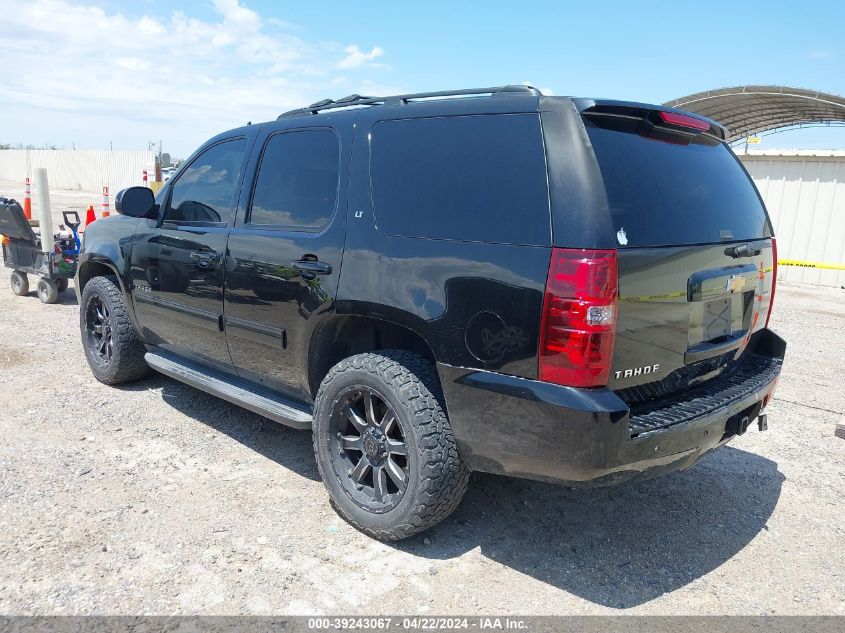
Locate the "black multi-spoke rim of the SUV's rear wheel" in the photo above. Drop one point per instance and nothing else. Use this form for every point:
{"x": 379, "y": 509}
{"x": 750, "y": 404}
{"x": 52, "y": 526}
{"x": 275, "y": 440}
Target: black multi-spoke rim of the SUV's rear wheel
{"x": 367, "y": 449}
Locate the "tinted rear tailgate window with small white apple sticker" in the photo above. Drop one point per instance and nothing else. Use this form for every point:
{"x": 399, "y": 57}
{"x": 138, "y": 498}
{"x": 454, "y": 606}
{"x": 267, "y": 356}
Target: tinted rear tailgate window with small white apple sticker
{"x": 672, "y": 190}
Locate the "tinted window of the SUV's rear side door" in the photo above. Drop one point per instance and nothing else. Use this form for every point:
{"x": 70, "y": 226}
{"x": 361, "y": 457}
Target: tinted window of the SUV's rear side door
{"x": 297, "y": 180}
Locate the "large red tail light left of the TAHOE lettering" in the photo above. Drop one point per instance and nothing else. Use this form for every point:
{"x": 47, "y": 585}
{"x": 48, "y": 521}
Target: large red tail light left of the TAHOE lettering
{"x": 578, "y": 325}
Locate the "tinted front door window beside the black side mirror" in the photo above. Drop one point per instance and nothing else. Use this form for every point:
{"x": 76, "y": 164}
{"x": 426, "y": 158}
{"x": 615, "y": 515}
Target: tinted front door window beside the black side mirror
{"x": 206, "y": 189}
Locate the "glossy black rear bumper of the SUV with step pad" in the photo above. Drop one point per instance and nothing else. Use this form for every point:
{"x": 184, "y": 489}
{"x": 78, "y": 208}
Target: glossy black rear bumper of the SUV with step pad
{"x": 525, "y": 428}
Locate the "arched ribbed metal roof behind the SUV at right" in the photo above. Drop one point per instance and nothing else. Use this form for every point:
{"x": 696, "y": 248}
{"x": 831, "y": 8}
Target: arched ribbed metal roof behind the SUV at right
{"x": 749, "y": 110}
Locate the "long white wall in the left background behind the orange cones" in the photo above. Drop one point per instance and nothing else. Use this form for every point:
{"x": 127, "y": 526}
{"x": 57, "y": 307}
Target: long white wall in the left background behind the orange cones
{"x": 80, "y": 170}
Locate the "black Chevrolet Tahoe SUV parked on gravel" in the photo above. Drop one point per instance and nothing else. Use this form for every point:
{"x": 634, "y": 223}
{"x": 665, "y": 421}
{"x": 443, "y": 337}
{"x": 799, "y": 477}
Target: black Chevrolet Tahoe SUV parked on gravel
{"x": 571, "y": 290}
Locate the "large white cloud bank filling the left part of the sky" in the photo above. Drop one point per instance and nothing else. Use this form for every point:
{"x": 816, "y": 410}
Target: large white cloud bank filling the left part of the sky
{"x": 80, "y": 73}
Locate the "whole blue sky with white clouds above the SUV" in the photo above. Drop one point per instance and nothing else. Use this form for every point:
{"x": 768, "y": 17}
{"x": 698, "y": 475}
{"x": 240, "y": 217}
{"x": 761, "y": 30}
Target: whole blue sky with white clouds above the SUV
{"x": 92, "y": 73}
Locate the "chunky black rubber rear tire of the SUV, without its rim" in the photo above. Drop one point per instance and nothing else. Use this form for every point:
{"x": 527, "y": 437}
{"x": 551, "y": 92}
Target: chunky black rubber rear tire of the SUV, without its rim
{"x": 438, "y": 476}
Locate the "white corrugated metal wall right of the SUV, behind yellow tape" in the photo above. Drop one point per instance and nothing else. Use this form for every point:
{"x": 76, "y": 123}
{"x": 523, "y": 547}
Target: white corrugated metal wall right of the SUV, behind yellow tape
{"x": 805, "y": 196}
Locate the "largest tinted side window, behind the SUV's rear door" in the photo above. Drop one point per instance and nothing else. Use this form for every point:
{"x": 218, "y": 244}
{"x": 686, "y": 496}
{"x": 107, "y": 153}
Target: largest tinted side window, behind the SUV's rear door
{"x": 478, "y": 178}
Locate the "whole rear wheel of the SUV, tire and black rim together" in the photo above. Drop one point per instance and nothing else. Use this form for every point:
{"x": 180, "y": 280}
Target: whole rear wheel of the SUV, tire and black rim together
{"x": 384, "y": 445}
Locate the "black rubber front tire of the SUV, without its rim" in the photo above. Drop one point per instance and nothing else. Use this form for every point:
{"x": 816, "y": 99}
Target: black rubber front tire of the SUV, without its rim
{"x": 126, "y": 362}
